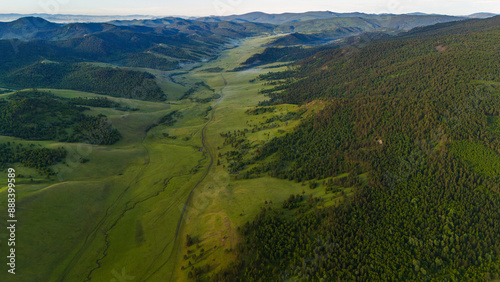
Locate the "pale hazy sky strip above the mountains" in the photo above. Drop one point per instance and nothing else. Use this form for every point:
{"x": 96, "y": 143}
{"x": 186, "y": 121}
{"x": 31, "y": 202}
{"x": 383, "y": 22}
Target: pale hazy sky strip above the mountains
{"x": 228, "y": 7}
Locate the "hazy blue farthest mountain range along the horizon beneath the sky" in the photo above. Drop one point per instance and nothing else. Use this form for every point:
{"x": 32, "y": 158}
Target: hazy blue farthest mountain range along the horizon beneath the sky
{"x": 331, "y": 25}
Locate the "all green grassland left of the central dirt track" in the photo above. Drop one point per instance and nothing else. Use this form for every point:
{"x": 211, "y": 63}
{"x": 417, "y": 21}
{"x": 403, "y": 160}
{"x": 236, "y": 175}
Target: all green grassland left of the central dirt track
{"x": 120, "y": 184}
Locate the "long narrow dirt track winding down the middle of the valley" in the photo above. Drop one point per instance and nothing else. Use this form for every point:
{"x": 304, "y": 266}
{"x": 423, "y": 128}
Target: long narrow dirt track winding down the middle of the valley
{"x": 207, "y": 148}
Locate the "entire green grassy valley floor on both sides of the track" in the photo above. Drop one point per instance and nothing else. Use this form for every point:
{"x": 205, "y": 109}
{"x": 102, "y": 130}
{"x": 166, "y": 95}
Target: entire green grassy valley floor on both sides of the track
{"x": 129, "y": 208}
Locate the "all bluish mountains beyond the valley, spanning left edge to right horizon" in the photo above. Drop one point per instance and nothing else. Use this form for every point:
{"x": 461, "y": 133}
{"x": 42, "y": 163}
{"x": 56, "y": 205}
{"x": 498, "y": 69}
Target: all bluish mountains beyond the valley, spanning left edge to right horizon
{"x": 27, "y": 43}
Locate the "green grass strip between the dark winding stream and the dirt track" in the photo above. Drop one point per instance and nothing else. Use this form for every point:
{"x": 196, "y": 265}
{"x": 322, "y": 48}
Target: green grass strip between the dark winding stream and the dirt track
{"x": 157, "y": 216}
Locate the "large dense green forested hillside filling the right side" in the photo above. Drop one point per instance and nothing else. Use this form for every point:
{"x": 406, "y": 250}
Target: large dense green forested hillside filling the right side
{"x": 414, "y": 122}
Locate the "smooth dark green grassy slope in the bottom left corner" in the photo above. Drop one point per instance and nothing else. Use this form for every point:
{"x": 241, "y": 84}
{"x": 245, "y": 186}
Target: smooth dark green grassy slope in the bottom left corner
{"x": 51, "y": 223}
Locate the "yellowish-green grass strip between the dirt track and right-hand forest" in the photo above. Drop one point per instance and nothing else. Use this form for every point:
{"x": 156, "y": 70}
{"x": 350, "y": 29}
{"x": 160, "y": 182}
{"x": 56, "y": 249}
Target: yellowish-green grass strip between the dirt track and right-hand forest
{"x": 221, "y": 204}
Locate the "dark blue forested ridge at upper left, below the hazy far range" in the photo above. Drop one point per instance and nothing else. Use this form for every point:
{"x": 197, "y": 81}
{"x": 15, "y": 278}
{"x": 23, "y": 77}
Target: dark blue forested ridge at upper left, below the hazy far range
{"x": 104, "y": 42}
